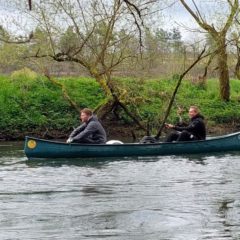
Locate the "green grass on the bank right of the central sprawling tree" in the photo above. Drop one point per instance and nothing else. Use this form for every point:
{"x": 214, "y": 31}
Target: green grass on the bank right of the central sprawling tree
{"x": 156, "y": 94}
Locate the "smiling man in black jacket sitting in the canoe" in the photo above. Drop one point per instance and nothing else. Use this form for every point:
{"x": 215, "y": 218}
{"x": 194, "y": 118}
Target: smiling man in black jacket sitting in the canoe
{"x": 195, "y": 130}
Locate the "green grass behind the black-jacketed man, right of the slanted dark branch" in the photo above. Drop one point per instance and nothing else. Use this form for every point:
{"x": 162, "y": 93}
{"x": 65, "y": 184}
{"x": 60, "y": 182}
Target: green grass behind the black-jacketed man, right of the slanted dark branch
{"x": 215, "y": 110}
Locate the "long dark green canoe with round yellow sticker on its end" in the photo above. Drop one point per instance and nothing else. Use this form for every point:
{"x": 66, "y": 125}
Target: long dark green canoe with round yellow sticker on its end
{"x": 42, "y": 149}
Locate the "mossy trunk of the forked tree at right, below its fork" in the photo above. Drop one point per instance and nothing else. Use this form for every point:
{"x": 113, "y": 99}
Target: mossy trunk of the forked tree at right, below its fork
{"x": 223, "y": 72}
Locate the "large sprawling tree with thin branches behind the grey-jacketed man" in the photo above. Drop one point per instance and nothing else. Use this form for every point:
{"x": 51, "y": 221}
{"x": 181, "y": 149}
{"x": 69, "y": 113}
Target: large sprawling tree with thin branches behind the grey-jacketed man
{"x": 89, "y": 33}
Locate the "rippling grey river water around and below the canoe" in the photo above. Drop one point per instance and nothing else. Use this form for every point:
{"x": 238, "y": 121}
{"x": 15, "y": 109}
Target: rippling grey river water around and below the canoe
{"x": 195, "y": 197}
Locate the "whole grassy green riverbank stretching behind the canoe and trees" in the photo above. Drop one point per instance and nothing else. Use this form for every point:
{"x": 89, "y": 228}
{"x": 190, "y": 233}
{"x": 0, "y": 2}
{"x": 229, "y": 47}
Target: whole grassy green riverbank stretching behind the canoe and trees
{"x": 31, "y": 104}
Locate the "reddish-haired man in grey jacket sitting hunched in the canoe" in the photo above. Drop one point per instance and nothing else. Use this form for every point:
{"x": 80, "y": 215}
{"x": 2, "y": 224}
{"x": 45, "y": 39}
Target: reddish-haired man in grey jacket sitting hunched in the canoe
{"x": 90, "y": 131}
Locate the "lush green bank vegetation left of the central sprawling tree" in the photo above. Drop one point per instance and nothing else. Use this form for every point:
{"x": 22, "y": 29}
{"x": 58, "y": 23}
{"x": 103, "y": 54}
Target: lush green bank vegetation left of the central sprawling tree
{"x": 30, "y": 102}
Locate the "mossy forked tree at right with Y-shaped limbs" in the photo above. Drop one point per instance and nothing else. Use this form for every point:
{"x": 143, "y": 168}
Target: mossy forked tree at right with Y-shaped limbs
{"x": 219, "y": 36}
